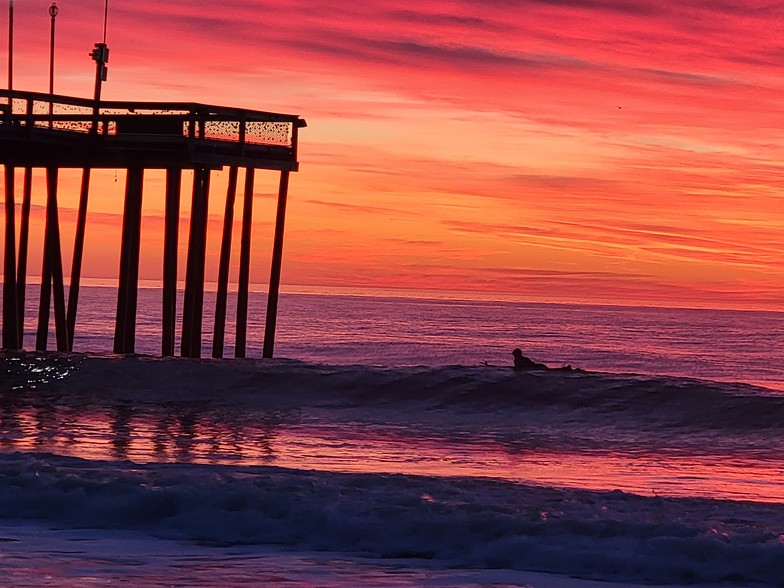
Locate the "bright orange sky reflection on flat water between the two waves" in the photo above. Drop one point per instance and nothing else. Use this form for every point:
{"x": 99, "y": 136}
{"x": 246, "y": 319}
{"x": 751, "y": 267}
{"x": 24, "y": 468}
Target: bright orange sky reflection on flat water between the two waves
{"x": 283, "y": 439}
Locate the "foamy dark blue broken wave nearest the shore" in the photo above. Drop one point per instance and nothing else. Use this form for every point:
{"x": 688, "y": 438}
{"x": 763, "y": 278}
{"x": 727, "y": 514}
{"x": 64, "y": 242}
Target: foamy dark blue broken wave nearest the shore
{"x": 476, "y": 523}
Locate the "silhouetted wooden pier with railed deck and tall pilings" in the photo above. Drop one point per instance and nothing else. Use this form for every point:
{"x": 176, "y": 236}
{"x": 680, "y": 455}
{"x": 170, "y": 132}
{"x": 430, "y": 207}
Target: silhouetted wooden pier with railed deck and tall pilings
{"x": 55, "y": 132}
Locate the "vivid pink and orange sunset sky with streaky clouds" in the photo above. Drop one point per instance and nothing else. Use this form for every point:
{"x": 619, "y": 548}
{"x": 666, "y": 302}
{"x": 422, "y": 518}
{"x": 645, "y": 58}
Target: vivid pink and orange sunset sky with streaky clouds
{"x": 590, "y": 151}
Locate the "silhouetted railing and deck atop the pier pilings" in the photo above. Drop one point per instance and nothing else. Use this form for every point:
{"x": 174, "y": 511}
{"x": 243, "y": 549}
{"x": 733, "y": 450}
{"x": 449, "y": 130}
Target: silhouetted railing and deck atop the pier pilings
{"x": 183, "y": 134}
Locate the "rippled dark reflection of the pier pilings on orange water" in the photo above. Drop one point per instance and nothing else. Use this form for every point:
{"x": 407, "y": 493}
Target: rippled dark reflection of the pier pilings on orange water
{"x": 37, "y": 420}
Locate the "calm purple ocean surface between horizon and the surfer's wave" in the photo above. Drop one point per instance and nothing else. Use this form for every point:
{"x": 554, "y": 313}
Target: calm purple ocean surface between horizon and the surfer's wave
{"x": 723, "y": 345}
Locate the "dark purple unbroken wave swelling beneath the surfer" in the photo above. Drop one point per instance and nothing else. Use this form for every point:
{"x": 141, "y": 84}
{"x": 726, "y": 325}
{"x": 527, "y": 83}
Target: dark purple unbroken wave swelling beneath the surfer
{"x": 498, "y": 391}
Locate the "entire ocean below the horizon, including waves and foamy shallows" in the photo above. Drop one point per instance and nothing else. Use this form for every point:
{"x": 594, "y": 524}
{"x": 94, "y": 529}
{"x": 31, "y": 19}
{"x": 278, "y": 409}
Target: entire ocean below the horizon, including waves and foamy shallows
{"x": 389, "y": 443}
